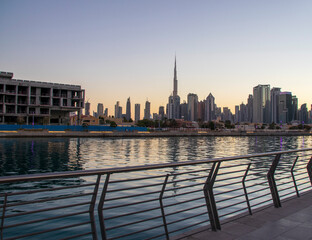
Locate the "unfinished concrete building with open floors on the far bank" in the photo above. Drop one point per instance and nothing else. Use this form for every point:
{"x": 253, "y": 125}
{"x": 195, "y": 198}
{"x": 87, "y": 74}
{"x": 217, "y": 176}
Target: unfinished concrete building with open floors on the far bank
{"x": 32, "y": 102}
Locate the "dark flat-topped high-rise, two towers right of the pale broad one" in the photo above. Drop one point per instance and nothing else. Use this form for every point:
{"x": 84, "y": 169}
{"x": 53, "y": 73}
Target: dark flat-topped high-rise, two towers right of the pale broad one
{"x": 285, "y": 107}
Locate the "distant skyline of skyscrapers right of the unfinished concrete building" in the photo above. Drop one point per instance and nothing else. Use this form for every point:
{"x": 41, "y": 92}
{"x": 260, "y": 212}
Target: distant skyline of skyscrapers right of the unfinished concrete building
{"x": 265, "y": 105}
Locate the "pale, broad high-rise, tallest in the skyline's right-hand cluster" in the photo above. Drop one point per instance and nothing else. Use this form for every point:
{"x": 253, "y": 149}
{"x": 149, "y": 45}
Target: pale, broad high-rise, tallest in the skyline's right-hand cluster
{"x": 261, "y": 104}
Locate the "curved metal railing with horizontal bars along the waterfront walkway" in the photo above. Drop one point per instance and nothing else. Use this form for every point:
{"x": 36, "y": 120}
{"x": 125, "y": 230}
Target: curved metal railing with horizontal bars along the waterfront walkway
{"x": 150, "y": 201}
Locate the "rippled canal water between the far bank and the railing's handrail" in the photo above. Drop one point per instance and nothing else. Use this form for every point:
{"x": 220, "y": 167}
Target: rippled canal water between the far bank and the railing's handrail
{"x": 25, "y": 155}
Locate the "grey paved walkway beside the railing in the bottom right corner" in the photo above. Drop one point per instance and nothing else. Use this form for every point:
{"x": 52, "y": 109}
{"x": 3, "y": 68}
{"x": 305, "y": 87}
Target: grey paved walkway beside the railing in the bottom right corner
{"x": 293, "y": 221}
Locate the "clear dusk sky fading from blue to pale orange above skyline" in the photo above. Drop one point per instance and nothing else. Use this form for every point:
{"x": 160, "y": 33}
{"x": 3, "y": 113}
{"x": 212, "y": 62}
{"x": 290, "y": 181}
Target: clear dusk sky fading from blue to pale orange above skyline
{"x": 126, "y": 48}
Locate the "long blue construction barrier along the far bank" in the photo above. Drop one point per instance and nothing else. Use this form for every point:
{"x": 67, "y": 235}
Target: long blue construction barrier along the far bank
{"x": 6, "y": 127}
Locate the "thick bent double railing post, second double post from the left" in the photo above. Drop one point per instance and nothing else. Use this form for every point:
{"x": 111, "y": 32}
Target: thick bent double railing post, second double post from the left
{"x": 209, "y": 197}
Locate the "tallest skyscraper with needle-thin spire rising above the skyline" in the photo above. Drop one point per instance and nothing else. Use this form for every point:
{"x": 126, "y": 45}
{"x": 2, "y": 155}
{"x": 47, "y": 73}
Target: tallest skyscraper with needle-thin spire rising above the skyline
{"x": 174, "y": 100}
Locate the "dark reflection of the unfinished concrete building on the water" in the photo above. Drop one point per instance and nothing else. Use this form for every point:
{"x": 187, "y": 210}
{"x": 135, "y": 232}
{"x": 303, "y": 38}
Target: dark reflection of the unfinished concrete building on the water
{"x": 24, "y": 156}
